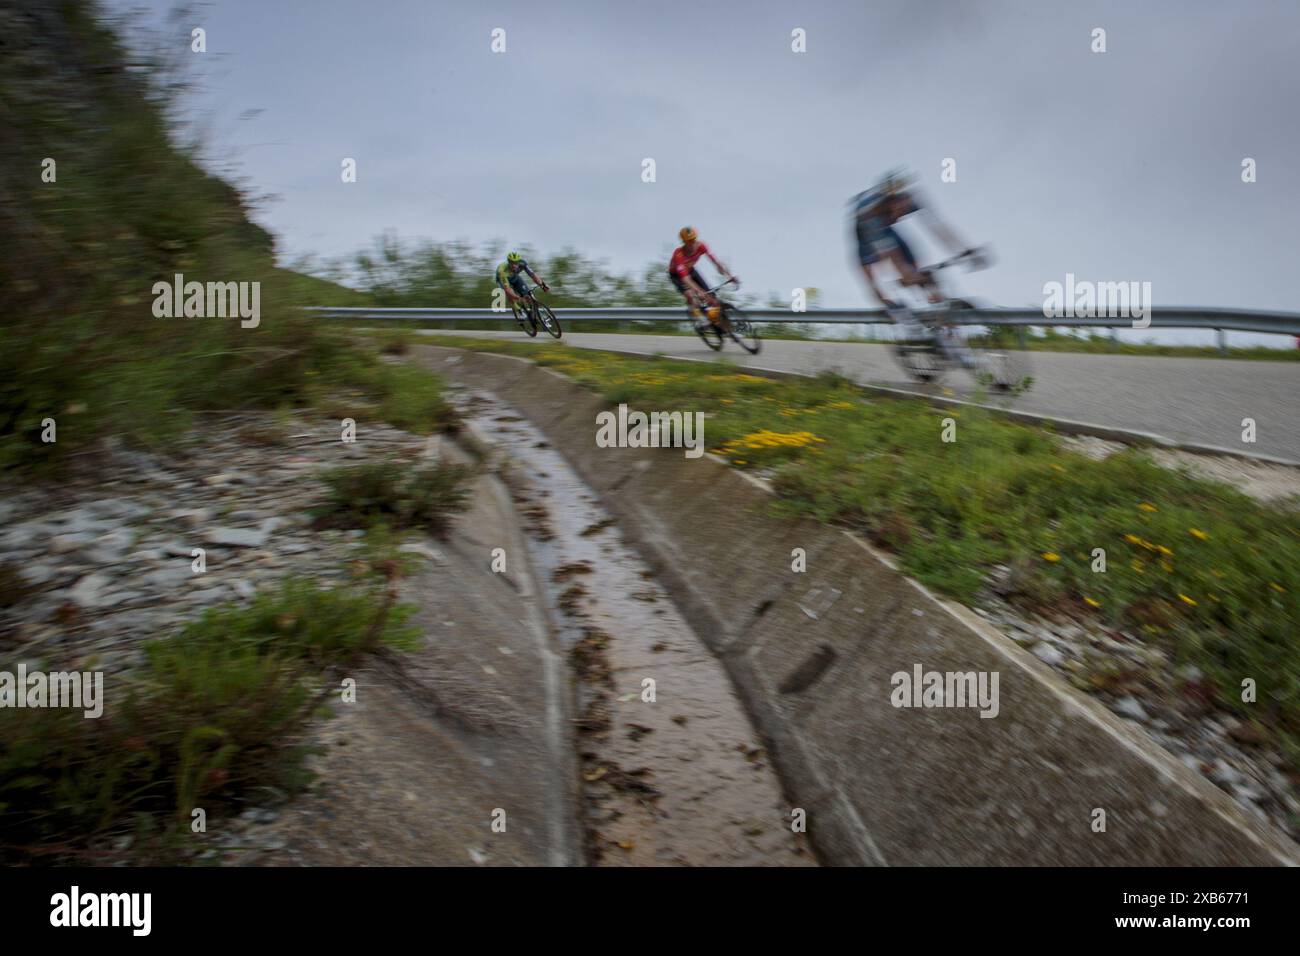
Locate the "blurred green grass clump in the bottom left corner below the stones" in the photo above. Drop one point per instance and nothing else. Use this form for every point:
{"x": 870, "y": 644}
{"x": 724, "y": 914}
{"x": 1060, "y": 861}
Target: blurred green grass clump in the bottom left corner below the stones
{"x": 215, "y": 716}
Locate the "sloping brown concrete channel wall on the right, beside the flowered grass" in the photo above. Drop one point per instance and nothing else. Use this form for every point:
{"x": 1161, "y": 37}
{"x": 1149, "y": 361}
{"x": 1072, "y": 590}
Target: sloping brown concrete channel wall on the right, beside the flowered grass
{"x": 1051, "y": 780}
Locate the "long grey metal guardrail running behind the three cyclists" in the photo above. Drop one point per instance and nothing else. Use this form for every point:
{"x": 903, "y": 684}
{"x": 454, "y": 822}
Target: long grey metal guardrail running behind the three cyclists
{"x": 1177, "y": 318}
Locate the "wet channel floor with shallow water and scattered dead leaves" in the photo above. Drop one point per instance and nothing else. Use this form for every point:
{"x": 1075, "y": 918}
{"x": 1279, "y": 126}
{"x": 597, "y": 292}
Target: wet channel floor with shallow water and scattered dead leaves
{"x": 671, "y": 771}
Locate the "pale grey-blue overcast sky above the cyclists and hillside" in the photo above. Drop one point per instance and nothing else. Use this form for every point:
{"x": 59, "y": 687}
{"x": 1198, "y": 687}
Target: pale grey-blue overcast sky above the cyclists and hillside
{"x": 1117, "y": 166}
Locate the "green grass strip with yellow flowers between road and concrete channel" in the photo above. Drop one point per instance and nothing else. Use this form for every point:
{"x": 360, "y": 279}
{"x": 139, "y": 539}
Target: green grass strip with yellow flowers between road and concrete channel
{"x": 1191, "y": 564}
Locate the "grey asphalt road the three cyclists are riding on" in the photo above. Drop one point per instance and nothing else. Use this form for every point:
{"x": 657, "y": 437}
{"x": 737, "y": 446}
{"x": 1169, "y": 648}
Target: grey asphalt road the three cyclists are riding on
{"x": 1198, "y": 401}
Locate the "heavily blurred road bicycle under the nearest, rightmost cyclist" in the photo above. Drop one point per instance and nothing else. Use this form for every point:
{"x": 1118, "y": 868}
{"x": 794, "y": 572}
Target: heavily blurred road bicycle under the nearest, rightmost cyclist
{"x": 930, "y": 341}
